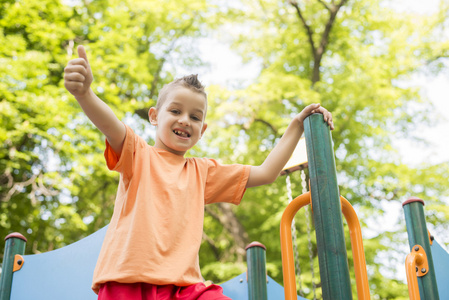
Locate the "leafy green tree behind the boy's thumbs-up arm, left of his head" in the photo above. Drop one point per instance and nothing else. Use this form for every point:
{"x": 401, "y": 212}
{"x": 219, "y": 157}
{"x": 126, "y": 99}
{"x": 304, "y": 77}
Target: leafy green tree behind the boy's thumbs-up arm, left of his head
{"x": 54, "y": 186}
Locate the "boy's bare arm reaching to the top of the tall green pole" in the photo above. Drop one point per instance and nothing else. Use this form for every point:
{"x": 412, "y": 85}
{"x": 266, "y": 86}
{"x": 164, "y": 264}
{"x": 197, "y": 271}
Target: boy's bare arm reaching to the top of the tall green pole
{"x": 278, "y": 157}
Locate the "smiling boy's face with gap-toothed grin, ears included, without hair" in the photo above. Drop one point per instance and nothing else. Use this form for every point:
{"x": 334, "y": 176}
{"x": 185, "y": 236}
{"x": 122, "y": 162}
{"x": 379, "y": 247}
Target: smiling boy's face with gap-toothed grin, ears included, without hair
{"x": 179, "y": 121}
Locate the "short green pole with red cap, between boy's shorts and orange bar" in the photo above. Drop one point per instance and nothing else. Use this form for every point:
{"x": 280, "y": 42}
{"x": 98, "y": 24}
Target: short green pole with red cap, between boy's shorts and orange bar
{"x": 257, "y": 272}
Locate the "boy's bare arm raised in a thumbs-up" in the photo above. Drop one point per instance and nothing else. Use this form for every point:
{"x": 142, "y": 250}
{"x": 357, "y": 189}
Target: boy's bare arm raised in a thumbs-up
{"x": 77, "y": 80}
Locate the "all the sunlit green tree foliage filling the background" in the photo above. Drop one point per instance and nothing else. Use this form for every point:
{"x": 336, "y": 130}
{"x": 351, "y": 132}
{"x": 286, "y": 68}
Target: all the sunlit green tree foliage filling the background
{"x": 56, "y": 189}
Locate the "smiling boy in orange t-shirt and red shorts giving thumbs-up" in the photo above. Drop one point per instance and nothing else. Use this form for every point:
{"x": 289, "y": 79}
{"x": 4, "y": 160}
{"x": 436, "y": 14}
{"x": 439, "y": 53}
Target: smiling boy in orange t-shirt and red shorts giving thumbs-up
{"x": 150, "y": 250}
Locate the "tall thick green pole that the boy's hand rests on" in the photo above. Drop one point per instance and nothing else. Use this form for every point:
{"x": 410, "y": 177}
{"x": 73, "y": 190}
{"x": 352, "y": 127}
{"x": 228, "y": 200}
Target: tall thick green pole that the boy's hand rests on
{"x": 332, "y": 256}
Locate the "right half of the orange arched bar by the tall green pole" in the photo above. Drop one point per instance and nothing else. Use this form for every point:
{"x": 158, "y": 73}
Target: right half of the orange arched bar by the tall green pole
{"x": 355, "y": 232}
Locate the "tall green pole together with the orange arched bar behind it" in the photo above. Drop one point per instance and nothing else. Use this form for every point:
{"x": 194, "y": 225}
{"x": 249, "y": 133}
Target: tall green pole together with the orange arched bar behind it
{"x": 326, "y": 205}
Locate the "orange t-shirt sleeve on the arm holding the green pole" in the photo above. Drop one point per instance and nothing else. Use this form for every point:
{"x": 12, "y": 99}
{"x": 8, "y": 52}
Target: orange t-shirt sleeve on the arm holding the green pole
{"x": 225, "y": 183}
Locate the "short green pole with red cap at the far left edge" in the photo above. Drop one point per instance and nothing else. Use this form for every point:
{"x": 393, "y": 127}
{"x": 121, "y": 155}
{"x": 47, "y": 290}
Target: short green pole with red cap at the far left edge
{"x": 15, "y": 244}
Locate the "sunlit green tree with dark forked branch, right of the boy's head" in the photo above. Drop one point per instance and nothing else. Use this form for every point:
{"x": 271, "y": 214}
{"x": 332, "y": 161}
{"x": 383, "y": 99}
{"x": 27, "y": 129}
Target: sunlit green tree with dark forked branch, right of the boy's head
{"x": 353, "y": 57}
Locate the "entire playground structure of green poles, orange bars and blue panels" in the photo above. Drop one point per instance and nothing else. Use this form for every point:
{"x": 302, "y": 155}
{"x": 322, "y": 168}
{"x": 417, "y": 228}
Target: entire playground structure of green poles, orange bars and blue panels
{"x": 66, "y": 273}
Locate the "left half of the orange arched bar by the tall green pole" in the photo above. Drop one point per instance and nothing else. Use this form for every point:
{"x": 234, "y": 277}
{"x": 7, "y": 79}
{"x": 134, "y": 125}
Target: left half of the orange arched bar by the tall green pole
{"x": 288, "y": 262}
